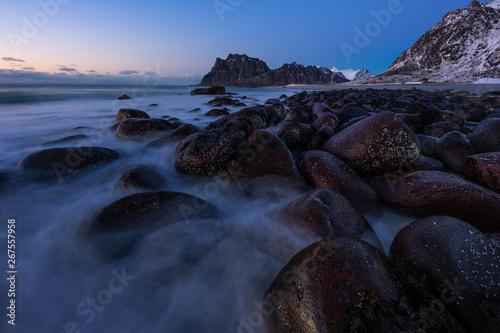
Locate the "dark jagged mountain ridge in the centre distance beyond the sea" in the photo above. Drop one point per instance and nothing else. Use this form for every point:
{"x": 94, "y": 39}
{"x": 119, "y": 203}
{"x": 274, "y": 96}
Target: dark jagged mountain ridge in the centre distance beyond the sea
{"x": 243, "y": 71}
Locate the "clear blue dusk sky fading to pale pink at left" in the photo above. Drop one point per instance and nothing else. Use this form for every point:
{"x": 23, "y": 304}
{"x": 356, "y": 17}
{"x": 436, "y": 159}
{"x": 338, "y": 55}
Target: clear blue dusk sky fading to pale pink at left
{"x": 177, "y": 41}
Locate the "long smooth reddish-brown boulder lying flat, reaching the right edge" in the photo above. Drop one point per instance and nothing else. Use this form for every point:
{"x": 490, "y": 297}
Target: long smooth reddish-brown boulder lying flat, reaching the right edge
{"x": 426, "y": 193}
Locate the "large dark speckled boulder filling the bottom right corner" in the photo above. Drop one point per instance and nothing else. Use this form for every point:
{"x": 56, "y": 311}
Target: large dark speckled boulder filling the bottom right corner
{"x": 460, "y": 265}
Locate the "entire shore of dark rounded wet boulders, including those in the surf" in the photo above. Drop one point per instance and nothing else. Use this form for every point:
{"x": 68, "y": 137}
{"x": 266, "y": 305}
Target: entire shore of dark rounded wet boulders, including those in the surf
{"x": 344, "y": 154}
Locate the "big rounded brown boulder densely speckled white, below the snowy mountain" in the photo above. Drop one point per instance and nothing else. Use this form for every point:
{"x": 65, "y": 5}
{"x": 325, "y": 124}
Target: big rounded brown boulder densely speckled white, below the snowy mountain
{"x": 375, "y": 145}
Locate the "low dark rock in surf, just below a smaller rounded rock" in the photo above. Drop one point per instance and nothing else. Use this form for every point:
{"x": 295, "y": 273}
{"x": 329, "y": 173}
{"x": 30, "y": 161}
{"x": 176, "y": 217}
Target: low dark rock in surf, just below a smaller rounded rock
{"x": 140, "y": 129}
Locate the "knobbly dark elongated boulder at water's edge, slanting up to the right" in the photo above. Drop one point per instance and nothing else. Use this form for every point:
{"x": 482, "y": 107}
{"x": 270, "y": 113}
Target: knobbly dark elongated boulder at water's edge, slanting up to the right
{"x": 211, "y": 150}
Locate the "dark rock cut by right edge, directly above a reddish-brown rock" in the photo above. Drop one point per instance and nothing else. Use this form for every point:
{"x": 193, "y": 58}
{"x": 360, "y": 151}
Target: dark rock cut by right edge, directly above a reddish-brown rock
{"x": 486, "y": 136}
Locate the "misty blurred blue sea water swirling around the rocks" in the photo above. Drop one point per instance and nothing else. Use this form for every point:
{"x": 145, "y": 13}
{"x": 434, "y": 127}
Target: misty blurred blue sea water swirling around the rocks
{"x": 61, "y": 287}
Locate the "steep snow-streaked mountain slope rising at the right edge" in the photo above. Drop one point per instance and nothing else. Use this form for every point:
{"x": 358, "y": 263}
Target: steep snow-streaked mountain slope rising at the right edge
{"x": 463, "y": 47}
